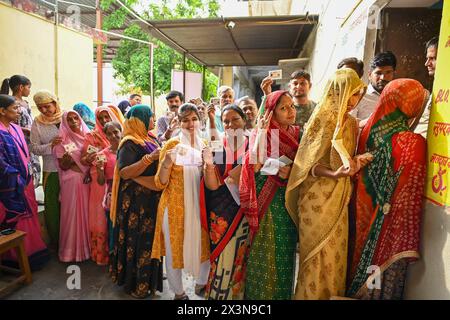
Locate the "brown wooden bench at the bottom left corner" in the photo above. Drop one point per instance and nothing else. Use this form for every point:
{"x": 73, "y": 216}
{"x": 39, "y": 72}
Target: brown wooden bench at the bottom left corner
{"x": 15, "y": 241}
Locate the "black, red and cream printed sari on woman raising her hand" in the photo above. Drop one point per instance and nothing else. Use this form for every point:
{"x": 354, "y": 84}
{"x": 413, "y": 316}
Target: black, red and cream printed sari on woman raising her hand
{"x": 228, "y": 229}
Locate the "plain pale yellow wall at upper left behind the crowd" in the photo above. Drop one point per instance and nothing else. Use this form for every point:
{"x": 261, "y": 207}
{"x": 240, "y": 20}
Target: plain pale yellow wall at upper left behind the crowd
{"x": 28, "y": 48}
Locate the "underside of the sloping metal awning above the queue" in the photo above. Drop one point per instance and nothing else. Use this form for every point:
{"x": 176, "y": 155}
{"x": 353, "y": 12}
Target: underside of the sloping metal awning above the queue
{"x": 243, "y": 41}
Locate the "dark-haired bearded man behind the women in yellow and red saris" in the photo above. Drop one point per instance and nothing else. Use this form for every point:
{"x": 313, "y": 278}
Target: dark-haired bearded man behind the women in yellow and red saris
{"x": 382, "y": 71}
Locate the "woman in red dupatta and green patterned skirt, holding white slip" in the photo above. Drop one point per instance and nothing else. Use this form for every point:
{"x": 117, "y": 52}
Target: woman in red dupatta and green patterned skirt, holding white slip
{"x": 273, "y": 232}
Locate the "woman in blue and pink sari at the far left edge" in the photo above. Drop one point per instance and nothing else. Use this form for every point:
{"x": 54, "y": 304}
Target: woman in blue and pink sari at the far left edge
{"x": 18, "y": 207}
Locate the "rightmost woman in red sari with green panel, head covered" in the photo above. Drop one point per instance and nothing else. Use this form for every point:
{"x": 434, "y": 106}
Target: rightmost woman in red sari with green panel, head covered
{"x": 388, "y": 193}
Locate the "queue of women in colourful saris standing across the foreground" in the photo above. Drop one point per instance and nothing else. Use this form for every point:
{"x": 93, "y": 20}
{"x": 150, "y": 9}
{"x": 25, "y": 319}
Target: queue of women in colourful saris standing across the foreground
{"x": 351, "y": 200}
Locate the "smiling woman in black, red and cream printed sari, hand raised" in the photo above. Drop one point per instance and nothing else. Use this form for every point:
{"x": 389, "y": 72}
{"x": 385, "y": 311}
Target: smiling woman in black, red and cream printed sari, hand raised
{"x": 220, "y": 209}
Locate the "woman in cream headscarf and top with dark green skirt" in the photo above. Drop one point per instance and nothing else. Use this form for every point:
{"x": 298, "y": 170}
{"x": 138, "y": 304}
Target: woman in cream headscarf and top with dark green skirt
{"x": 44, "y": 137}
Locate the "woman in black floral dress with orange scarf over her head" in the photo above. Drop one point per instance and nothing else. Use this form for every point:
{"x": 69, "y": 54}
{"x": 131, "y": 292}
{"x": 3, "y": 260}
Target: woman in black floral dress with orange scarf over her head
{"x": 134, "y": 203}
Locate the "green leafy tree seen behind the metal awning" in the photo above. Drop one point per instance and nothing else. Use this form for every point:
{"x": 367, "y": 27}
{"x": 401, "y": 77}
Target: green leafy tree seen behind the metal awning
{"x": 132, "y": 60}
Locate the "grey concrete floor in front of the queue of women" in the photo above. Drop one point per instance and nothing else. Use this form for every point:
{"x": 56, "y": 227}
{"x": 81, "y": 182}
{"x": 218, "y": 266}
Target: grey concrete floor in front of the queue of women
{"x": 50, "y": 282}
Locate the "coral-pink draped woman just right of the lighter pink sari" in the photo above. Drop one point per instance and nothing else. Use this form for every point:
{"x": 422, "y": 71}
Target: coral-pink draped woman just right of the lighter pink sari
{"x": 94, "y": 142}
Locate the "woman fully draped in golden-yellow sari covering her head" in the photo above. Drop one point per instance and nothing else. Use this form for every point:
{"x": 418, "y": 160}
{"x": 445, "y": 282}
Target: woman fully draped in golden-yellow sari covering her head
{"x": 319, "y": 188}
